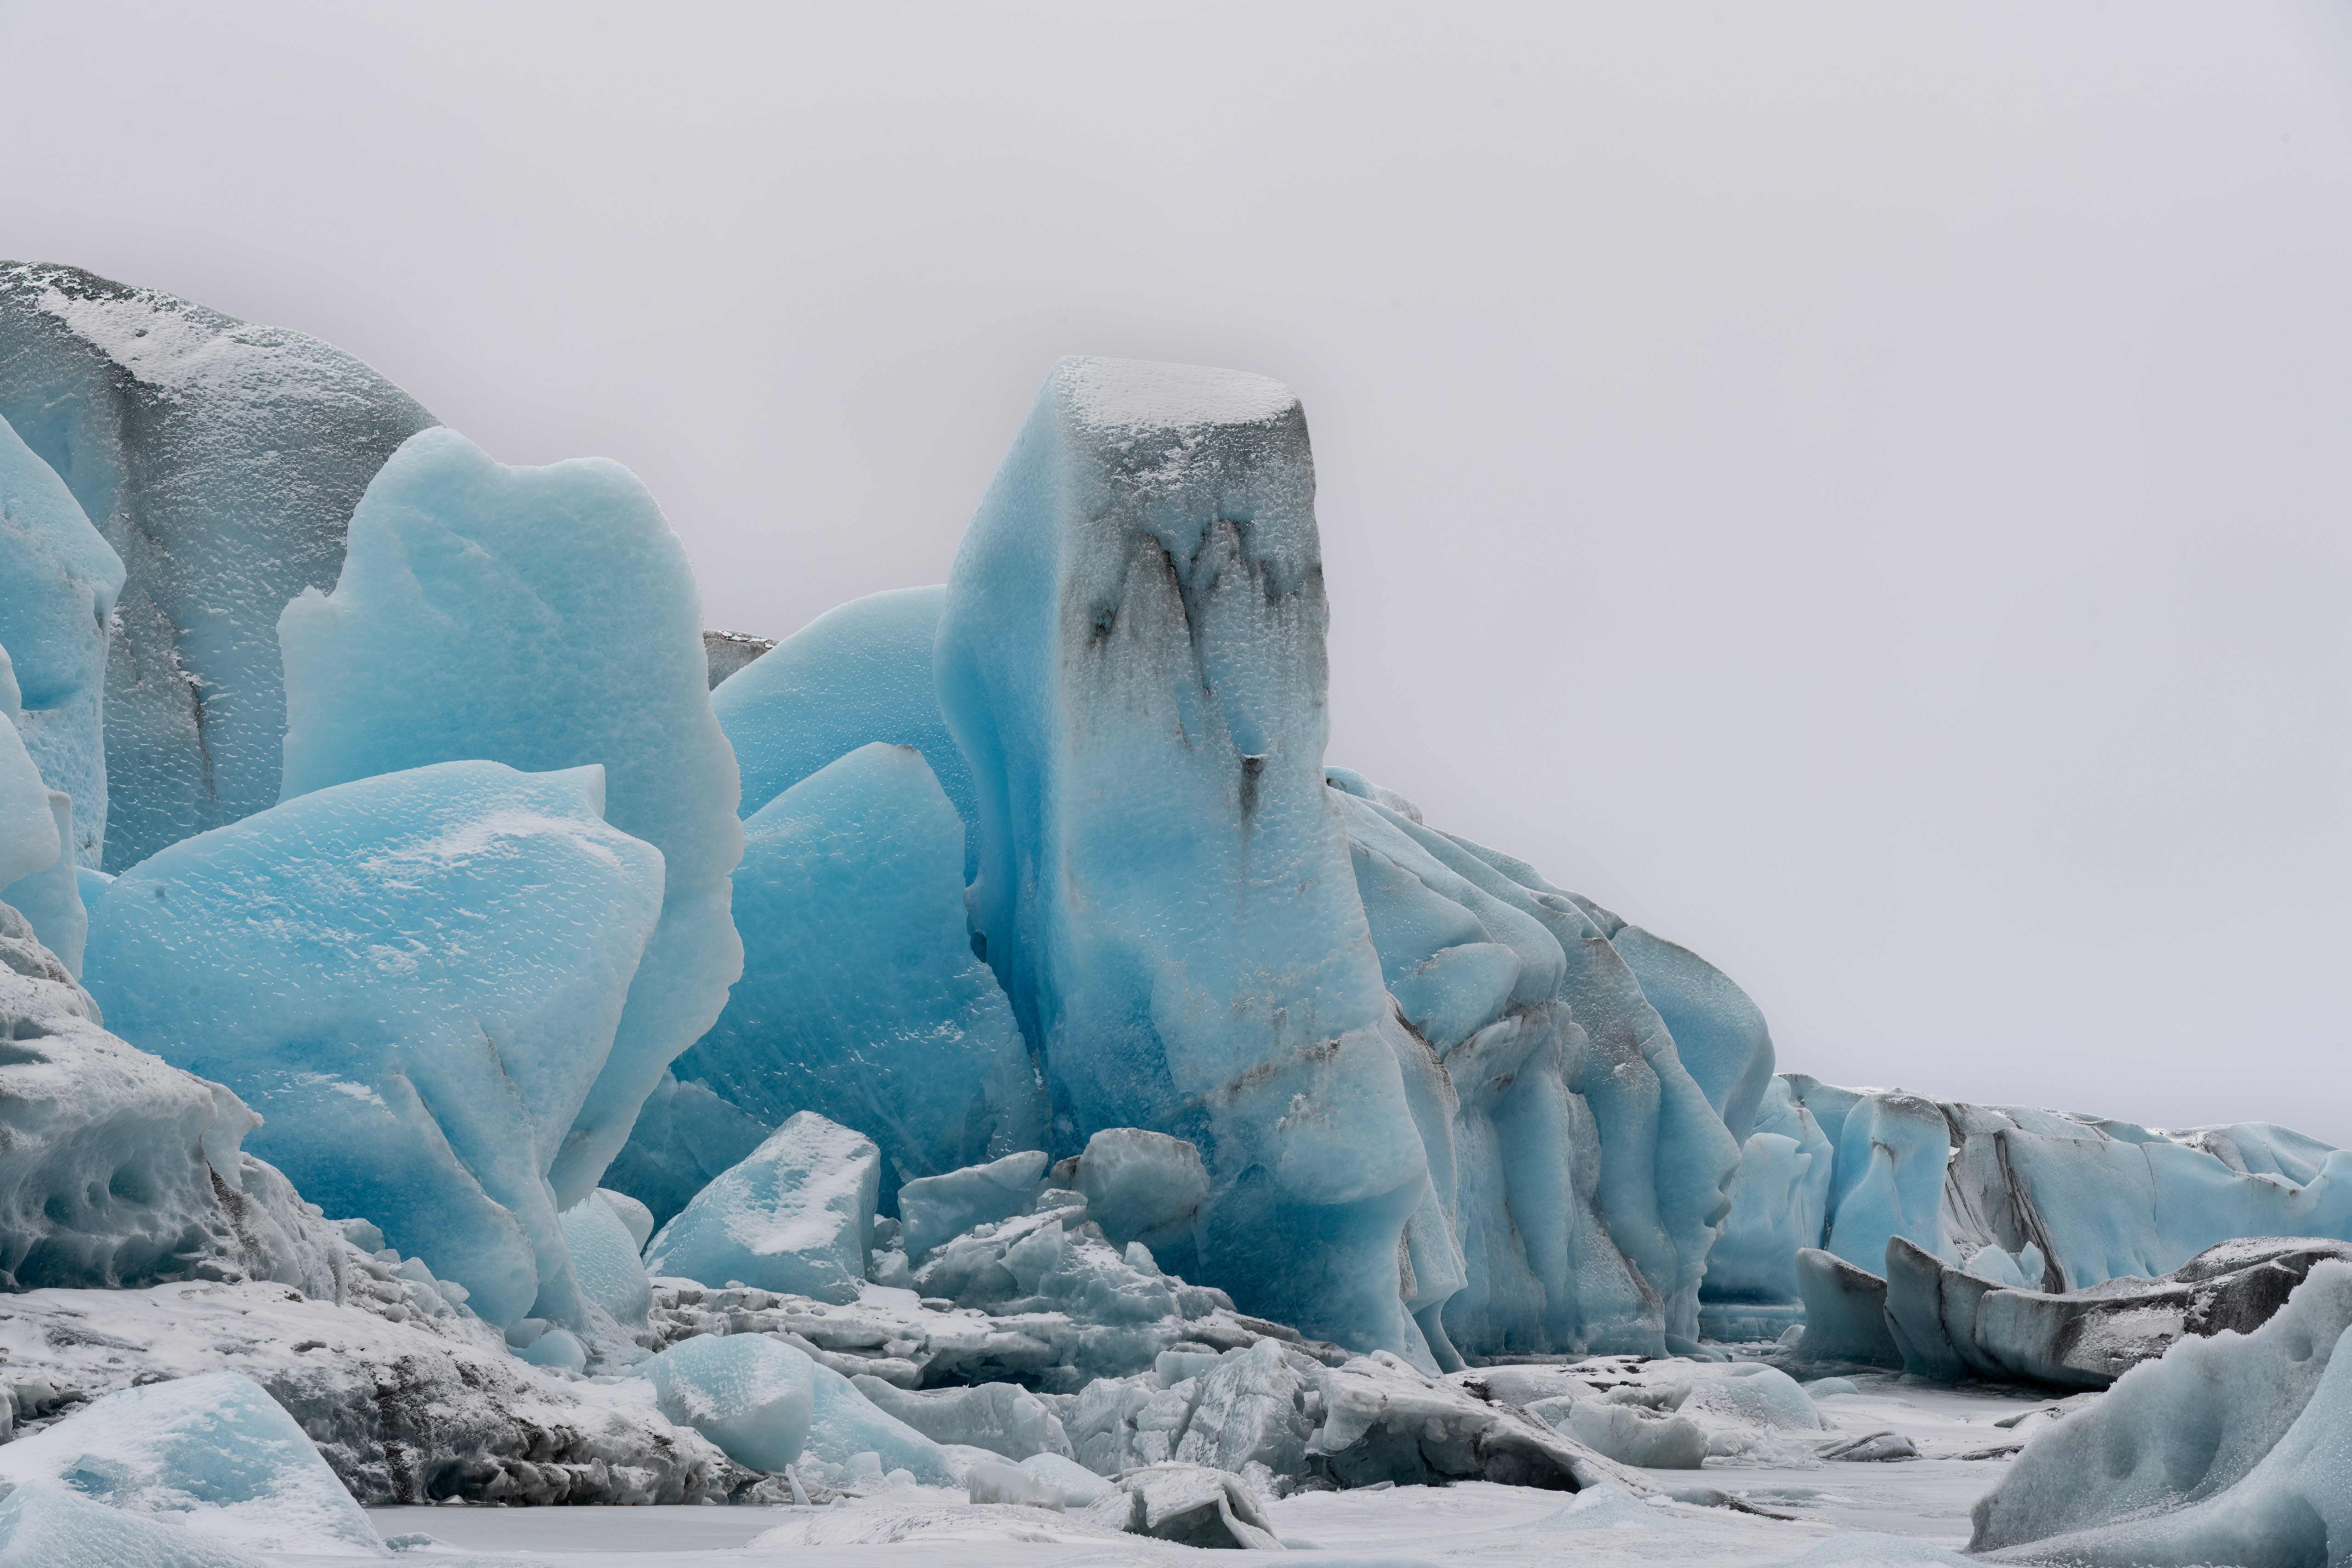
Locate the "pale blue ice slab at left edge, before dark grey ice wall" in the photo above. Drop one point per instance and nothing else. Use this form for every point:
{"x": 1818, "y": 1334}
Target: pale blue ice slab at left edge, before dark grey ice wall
{"x": 58, "y": 594}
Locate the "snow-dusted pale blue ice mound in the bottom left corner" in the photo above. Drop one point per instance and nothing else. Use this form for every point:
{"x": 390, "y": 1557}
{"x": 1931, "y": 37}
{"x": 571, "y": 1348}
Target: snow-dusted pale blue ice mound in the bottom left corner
{"x": 213, "y": 1454}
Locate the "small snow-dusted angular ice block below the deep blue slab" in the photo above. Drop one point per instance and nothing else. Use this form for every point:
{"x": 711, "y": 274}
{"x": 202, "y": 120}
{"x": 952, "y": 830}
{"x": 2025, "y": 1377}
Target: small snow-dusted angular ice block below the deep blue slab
{"x": 796, "y": 1217}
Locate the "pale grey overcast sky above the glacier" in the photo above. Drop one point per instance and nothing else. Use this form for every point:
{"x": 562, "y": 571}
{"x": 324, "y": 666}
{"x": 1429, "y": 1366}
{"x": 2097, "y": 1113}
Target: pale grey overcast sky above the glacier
{"x": 1862, "y": 490}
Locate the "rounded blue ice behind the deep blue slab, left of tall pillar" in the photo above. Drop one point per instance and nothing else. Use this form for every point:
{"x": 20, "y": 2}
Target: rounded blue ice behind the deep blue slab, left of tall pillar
{"x": 857, "y": 674}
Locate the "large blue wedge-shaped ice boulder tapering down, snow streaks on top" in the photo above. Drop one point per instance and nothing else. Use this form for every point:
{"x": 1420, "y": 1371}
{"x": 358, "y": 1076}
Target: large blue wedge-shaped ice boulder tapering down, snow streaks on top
{"x": 413, "y": 979}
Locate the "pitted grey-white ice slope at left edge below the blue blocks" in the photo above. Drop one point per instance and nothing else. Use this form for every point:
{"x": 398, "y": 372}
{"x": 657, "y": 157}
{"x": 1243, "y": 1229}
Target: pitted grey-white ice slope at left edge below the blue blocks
{"x": 119, "y": 1170}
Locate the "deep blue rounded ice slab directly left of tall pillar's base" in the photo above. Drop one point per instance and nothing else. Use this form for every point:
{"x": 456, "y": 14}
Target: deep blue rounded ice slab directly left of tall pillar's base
{"x": 860, "y": 996}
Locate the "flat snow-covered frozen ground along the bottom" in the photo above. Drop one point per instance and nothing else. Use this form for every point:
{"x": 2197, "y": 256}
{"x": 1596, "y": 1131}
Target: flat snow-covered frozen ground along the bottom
{"x": 1471, "y": 1525}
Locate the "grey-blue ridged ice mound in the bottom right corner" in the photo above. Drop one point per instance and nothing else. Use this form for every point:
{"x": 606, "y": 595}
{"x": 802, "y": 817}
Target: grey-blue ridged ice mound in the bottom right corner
{"x": 2233, "y": 1449}
